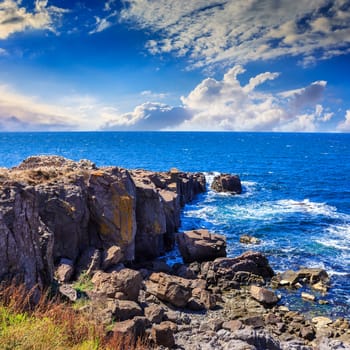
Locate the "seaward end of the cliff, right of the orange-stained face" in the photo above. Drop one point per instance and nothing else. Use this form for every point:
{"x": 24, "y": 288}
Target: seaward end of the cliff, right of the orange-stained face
{"x": 160, "y": 197}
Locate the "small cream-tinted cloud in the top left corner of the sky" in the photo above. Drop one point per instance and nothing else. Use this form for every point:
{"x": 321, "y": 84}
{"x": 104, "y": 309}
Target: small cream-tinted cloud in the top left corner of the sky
{"x": 16, "y": 18}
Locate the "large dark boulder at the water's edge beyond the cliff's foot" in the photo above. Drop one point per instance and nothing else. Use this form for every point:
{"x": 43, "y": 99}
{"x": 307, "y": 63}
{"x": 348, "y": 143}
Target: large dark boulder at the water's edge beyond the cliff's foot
{"x": 201, "y": 245}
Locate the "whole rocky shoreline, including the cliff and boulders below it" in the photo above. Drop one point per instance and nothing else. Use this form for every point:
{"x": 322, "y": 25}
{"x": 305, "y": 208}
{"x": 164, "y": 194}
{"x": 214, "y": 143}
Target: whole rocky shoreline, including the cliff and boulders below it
{"x": 96, "y": 233}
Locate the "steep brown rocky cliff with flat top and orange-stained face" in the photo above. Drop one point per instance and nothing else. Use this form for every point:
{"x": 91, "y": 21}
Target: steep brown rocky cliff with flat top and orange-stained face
{"x": 55, "y": 210}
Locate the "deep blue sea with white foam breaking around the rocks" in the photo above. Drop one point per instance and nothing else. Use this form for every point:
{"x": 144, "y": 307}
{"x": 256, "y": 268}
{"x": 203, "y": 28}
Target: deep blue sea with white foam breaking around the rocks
{"x": 296, "y": 195}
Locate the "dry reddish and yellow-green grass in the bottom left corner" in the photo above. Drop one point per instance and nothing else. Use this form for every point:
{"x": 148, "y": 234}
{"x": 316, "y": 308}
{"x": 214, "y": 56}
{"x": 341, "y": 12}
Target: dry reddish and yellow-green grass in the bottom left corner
{"x": 52, "y": 324}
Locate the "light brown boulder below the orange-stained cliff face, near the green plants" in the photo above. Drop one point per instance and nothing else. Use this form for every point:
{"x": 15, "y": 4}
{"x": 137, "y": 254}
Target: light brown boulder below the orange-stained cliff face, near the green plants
{"x": 126, "y": 281}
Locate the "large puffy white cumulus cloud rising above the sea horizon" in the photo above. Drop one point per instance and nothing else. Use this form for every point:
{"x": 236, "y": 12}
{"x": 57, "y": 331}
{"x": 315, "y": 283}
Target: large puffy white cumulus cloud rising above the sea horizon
{"x": 228, "y": 105}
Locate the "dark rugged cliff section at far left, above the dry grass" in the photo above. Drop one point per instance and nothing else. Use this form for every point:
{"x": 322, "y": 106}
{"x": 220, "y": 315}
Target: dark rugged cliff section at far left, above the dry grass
{"x": 26, "y": 243}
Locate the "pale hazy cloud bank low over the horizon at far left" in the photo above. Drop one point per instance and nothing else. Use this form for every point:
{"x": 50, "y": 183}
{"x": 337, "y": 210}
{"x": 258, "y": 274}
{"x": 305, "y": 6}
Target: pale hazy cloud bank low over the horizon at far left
{"x": 19, "y": 112}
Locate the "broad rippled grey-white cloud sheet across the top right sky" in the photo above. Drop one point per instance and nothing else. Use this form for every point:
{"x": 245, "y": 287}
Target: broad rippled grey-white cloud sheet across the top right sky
{"x": 237, "y": 31}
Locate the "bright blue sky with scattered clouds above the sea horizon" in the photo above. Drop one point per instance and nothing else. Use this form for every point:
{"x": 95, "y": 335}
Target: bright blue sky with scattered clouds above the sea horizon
{"x": 230, "y": 65}
